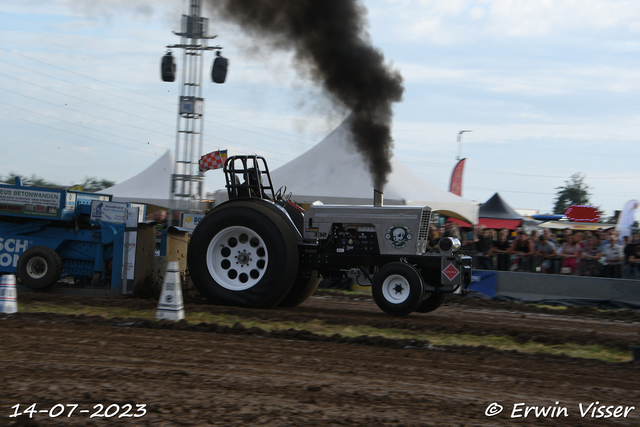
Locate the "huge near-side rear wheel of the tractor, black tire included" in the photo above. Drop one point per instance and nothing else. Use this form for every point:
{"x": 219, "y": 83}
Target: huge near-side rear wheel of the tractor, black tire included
{"x": 243, "y": 254}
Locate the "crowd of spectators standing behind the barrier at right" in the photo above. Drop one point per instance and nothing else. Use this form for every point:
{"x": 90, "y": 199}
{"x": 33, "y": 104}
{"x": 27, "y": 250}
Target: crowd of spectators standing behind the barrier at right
{"x": 600, "y": 253}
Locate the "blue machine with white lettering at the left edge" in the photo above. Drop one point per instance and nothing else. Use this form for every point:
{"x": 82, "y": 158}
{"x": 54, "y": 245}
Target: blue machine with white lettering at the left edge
{"x": 46, "y": 234}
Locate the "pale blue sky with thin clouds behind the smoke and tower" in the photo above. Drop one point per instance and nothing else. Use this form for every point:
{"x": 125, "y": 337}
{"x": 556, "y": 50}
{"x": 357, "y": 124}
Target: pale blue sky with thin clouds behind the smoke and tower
{"x": 548, "y": 89}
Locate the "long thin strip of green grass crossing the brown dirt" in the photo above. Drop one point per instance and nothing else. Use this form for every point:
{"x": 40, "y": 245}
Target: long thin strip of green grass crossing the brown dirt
{"x": 320, "y": 328}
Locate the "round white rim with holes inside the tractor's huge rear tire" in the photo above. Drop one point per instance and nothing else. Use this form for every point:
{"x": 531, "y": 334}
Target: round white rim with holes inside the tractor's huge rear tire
{"x": 237, "y": 258}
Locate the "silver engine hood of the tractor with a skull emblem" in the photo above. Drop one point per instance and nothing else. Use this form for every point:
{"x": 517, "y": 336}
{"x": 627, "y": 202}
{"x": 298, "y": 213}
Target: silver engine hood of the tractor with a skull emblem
{"x": 400, "y": 230}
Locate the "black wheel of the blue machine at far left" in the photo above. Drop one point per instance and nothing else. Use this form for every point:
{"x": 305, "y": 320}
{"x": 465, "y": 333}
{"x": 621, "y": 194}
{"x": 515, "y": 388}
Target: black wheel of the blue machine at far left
{"x": 39, "y": 267}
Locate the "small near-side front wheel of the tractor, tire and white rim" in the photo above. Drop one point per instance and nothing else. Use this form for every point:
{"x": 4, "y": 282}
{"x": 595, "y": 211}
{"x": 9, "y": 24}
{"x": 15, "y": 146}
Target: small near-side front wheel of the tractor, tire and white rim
{"x": 397, "y": 288}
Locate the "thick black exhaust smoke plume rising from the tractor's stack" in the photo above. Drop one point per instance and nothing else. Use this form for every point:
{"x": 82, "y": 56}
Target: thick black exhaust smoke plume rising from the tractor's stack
{"x": 331, "y": 45}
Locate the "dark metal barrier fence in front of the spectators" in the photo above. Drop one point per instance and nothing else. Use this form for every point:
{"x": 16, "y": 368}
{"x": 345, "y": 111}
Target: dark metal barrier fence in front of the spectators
{"x": 534, "y": 264}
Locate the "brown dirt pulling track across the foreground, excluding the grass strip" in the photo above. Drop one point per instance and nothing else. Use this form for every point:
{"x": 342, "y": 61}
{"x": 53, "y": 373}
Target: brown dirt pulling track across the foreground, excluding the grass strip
{"x": 212, "y": 375}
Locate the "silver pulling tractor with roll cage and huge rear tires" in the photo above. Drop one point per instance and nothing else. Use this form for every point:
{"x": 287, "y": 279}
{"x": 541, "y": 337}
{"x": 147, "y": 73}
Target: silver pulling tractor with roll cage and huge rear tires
{"x": 260, "y": 249}
